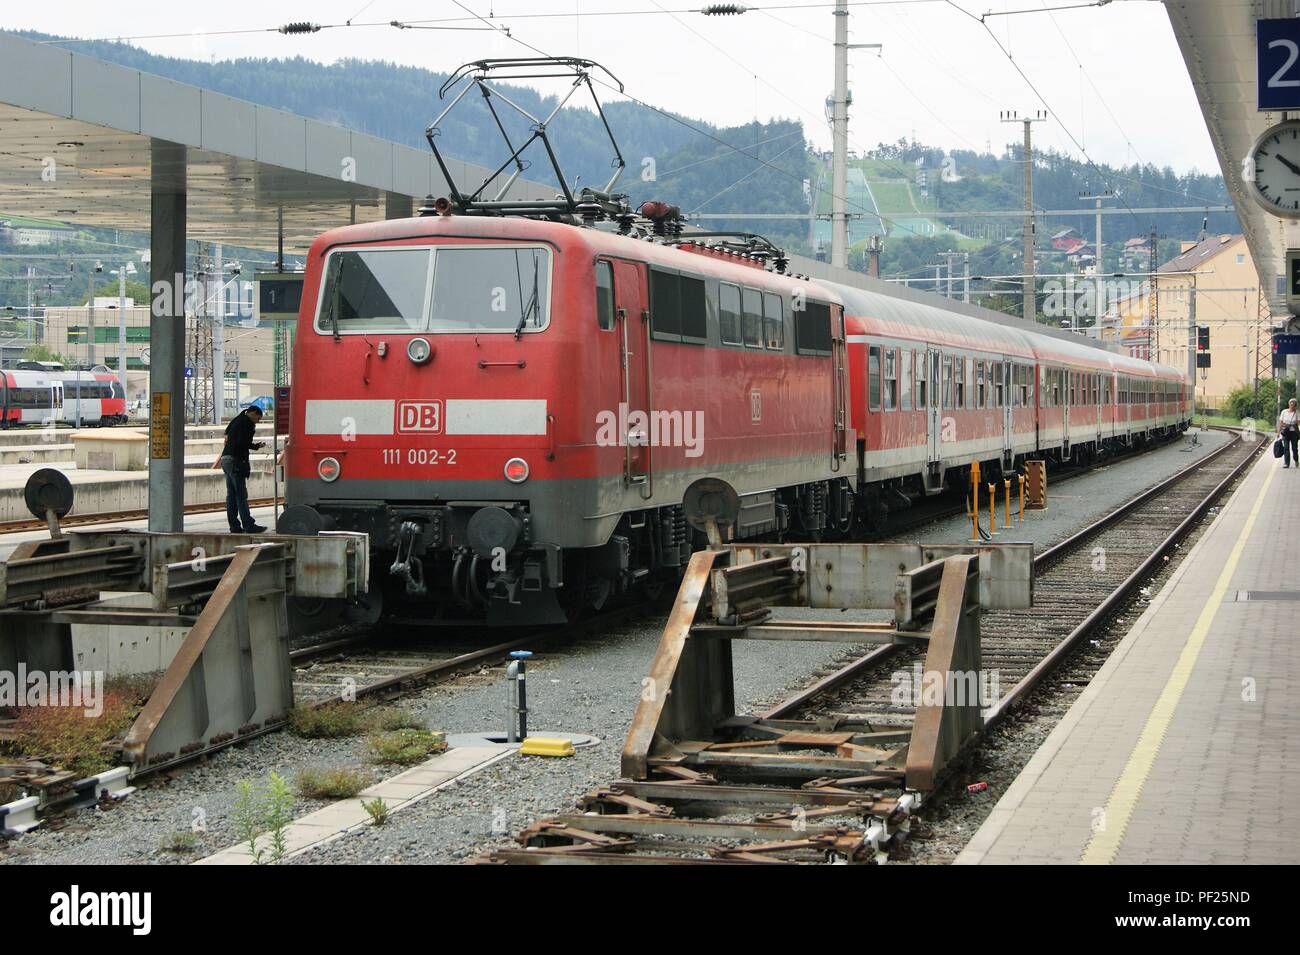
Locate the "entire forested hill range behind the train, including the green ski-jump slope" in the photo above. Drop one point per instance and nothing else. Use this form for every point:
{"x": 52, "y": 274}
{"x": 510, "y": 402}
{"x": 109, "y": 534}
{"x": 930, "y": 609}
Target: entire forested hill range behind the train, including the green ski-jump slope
{"x": 898, "y": 189}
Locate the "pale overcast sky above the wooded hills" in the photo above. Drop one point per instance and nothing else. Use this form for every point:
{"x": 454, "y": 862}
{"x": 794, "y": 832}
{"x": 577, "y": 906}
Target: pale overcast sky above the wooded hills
{"x": 1112, "y": 76}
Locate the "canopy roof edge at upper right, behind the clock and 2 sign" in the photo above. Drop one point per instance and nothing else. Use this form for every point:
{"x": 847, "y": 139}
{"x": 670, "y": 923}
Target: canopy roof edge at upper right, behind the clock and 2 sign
{"x": 1217, "y": 40}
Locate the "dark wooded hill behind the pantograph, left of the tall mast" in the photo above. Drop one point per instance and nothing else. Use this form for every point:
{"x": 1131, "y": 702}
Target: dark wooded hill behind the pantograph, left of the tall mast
{"x": 681, "y": 160}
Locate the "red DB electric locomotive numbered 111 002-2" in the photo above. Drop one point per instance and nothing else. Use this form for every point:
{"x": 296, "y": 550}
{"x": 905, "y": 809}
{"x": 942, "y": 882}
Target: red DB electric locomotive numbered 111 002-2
{"x": 514, "y": 409}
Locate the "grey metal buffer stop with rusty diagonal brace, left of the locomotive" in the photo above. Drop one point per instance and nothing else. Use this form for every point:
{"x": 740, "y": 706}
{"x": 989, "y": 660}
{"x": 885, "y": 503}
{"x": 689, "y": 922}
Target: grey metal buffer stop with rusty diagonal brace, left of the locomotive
{"x": 229, "y": 678}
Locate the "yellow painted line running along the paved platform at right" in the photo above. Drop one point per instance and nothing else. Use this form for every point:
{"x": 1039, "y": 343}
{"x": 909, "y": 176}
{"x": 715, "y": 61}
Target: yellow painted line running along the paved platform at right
{"x": 1104, "y": 845}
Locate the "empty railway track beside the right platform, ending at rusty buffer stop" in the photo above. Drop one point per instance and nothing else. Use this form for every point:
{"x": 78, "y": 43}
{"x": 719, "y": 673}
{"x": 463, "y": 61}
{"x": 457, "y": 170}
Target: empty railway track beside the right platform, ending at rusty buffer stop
{"x": 690, "y": 818}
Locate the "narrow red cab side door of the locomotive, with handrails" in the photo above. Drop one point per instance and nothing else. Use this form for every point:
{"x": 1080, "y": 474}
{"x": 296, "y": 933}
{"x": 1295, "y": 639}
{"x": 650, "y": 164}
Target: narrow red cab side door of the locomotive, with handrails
{"x": 632, "y": 327}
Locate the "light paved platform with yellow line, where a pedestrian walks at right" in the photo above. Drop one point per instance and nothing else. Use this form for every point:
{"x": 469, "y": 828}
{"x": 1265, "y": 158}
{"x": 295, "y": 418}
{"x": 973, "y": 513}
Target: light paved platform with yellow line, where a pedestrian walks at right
{"x": 1186, "y": 746}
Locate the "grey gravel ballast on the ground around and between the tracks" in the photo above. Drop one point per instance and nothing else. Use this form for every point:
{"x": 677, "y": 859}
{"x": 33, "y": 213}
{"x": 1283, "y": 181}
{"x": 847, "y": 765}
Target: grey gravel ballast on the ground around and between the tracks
{"x": 590, "y": 687}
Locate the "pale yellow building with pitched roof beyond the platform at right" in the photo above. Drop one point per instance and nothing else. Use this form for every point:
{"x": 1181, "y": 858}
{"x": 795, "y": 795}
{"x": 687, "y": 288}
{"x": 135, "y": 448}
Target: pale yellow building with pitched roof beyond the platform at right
{"x": 1220, "y": 275}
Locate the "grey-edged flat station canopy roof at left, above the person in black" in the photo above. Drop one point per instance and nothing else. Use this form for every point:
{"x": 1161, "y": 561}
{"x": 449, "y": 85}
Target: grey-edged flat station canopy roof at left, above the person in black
{"x": 79, "y": 136}
